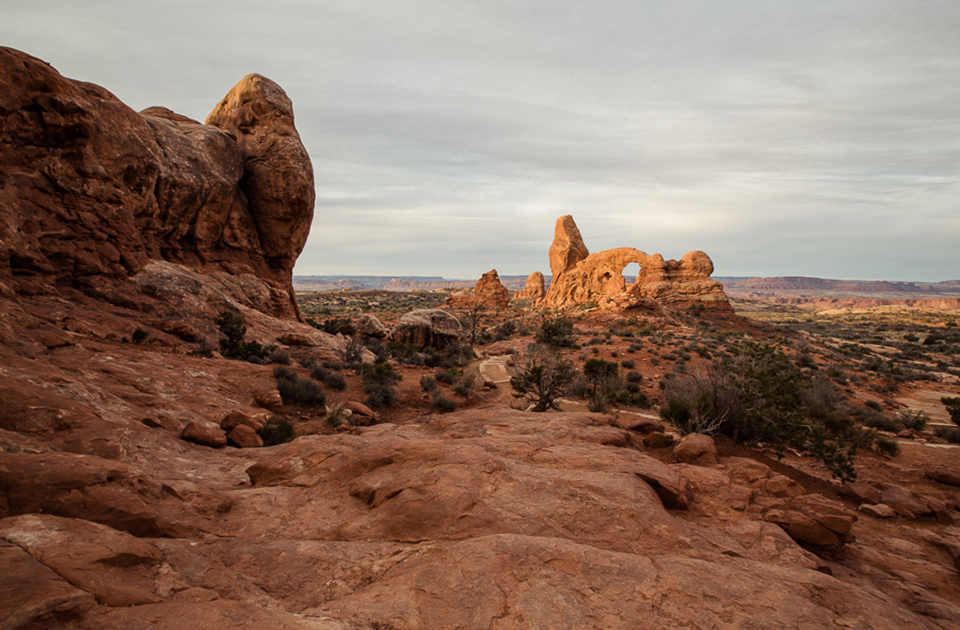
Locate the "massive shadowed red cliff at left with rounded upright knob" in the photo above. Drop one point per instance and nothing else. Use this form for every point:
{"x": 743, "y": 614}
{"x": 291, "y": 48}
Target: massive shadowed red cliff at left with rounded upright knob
{"x": 91, "y": 191}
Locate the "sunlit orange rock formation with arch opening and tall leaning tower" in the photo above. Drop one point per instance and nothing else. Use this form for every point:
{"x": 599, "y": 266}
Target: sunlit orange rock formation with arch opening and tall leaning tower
{"x": 580, "y": 277}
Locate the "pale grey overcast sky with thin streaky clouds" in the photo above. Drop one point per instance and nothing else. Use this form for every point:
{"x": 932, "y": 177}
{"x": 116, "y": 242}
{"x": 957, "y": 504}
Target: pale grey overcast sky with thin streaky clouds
{"x": 781, "y": 137}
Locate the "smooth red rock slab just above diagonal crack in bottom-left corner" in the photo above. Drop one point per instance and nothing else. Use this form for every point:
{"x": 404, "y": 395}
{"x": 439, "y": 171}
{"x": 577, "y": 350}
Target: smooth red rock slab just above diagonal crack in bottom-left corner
{"x": 115, "y": 567}
